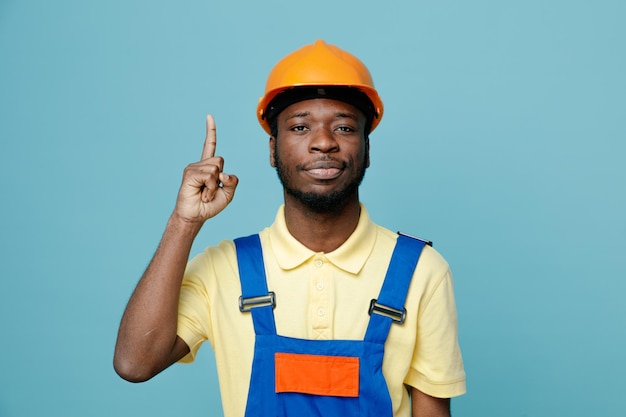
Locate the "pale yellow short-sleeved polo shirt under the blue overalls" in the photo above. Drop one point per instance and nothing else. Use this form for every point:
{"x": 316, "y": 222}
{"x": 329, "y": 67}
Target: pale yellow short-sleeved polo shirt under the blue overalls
{"x": 325, "y": 296}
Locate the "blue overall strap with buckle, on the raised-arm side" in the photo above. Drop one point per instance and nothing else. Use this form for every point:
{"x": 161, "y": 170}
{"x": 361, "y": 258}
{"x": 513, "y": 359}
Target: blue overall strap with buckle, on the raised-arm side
{"x": 255, "y": 297}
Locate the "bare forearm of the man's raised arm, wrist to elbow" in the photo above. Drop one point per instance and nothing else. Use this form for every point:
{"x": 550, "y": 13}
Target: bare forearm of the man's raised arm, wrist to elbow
{"x": 147, "y": 341}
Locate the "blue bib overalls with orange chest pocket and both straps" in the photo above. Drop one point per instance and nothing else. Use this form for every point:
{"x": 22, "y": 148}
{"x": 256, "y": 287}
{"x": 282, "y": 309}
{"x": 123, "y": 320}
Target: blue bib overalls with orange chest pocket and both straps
{"x": 331, "y": 378}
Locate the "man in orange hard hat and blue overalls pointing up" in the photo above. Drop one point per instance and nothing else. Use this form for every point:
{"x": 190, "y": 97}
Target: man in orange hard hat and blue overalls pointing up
{"x": 286, "y": 311}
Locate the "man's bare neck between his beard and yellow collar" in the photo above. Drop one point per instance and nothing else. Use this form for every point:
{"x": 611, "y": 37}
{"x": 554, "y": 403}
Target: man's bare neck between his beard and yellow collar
{"x": 321, "y": 231}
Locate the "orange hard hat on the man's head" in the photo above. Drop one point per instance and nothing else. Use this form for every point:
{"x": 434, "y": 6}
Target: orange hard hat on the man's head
{"x": 319, "y": 65}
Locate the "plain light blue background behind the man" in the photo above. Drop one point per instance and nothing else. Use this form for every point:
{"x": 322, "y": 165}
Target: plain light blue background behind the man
{"x": 502, "y": 141}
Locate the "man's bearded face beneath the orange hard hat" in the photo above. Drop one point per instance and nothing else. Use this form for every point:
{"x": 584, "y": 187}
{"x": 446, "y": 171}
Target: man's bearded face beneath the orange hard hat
{"x": 320, "y": 153}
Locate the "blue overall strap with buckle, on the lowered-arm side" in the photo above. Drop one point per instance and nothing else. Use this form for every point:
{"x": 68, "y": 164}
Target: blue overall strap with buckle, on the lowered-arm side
{"x": 389, "y": 307}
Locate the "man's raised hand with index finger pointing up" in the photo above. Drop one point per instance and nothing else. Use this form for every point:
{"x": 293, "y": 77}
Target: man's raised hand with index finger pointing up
{"x": 206, "y": 190}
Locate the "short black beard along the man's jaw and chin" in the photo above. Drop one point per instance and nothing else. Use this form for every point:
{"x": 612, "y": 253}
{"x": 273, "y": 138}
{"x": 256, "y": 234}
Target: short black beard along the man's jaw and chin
{"x": 321, "y": 202}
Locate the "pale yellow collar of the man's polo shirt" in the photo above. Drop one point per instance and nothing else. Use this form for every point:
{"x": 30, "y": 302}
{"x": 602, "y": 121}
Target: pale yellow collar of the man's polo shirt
{"x": 351, "y": 256}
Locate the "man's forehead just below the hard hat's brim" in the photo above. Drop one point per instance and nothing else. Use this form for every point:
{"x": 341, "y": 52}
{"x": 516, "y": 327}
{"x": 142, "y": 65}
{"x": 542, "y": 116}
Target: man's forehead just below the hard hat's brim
{"x": 322, "y": 107}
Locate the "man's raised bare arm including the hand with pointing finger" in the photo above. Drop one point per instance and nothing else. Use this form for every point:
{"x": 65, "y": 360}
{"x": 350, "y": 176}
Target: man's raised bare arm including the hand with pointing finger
{"x": 147, "y": 342}
